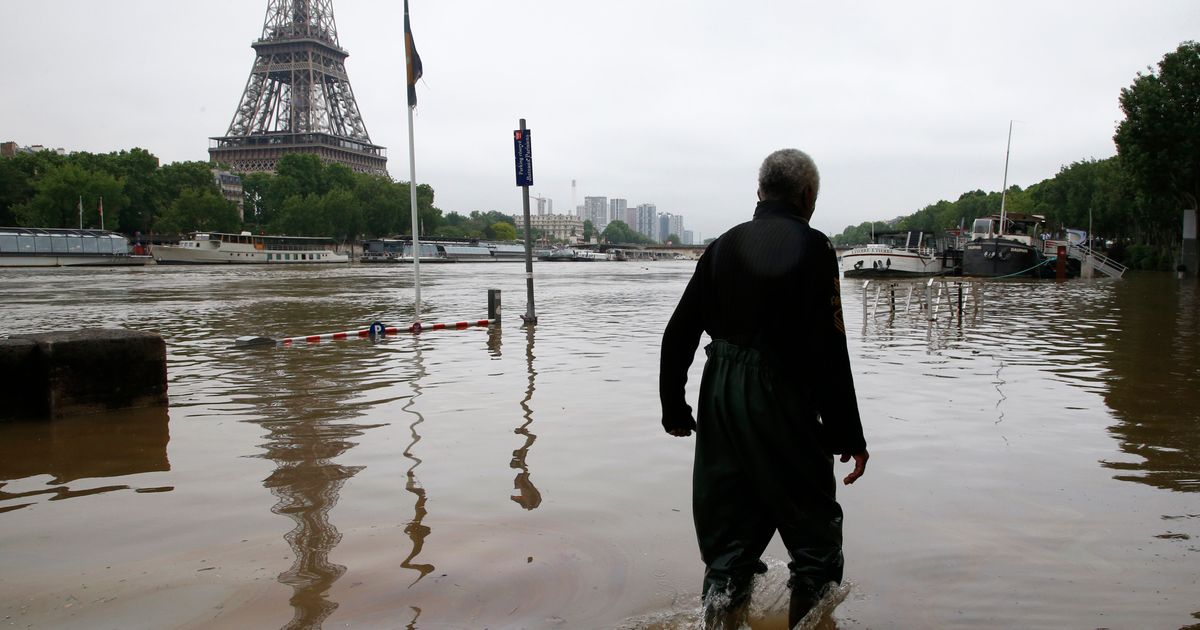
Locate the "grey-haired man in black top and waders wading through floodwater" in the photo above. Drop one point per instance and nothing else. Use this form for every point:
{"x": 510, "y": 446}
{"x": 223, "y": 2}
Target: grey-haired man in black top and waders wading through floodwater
{"x": 777, "y": 400}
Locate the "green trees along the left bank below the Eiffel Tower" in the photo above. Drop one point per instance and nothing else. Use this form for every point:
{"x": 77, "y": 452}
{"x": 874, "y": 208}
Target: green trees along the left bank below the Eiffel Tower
{"x": 304, "y": 197}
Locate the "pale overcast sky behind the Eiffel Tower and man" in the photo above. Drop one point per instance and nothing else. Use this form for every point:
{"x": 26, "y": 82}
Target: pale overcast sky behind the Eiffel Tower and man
{"x": 673, "y": 103}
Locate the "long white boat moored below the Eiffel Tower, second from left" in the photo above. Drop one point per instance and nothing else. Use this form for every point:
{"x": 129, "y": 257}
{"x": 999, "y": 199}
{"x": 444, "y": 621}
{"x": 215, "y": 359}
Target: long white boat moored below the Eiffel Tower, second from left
{"x": 215, "y": 248}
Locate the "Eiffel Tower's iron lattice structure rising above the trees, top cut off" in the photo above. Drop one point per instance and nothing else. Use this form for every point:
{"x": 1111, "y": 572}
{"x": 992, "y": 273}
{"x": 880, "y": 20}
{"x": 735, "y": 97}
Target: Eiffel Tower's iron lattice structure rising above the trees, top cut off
{"x": 298, "y": 99}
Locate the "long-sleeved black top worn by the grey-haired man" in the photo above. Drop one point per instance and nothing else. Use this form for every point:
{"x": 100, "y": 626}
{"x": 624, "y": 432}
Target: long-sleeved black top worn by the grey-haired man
{"x": 771, "y": 284}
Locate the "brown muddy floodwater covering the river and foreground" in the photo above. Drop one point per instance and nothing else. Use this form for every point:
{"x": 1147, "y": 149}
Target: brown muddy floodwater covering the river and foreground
{"x": 1034, "y": 466}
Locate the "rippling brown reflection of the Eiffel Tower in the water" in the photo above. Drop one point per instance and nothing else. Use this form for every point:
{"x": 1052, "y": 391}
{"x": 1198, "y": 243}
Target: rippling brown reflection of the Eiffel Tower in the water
{"x": 304, "y": 439}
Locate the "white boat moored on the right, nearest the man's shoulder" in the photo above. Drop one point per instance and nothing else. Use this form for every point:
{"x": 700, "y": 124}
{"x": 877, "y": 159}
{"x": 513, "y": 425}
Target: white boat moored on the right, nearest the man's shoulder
{"x": 897, "y": 255}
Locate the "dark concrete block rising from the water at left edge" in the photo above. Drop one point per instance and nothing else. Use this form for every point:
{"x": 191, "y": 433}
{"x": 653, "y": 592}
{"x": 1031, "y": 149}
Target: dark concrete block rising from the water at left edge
{"x": 93, "y": 370}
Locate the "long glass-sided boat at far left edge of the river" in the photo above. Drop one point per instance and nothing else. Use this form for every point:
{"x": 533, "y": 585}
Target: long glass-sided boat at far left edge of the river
{"x": 67, "y": 248}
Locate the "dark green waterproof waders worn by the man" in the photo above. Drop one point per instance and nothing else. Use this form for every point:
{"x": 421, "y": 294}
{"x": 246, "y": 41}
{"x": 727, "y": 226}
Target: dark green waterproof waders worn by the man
{"x": 760, "y": 467}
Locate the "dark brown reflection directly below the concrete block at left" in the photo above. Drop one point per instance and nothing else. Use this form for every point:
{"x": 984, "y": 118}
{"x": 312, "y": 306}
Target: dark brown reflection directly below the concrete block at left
{"x": 103, "y": 446}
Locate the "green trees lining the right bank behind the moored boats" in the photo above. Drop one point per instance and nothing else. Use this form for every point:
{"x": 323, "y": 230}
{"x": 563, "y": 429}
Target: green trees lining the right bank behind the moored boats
{"x": 1133, "y": 200}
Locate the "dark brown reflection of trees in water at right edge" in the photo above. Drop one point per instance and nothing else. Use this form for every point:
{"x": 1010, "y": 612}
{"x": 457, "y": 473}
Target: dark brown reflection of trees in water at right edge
{"x": 1155, "y": 389}
